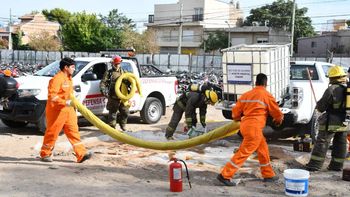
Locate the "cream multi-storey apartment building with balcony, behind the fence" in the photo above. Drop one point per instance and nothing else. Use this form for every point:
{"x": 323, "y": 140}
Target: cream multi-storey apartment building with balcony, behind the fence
{"x": 195, "y": 18}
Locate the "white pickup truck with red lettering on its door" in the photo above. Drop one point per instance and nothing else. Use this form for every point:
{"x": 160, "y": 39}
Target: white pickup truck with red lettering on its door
{"x": 28, "y": 106}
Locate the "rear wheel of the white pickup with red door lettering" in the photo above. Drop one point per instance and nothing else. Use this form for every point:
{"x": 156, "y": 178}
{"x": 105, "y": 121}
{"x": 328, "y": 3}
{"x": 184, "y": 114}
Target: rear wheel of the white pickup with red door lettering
{"x": 151, "y": 111}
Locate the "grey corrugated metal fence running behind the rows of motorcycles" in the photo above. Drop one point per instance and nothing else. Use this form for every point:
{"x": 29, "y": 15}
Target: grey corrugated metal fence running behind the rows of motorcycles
{"x": 174, "y": 62}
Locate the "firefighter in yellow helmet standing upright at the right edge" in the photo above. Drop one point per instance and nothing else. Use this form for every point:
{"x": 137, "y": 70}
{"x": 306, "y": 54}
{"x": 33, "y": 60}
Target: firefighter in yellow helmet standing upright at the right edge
{"x": 331, "y": 123}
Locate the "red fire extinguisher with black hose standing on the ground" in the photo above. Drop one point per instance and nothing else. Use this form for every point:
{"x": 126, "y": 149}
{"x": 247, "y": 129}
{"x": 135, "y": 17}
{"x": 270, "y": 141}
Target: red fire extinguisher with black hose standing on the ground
{"x": 175, "y": 175}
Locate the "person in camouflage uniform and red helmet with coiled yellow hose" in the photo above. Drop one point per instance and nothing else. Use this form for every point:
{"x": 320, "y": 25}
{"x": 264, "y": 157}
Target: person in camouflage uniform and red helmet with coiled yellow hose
{"x": 114, "y": 103}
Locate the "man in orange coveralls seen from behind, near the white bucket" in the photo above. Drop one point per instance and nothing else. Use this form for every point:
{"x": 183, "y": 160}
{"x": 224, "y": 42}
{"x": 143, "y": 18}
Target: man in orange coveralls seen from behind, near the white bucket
{"x": 252, "y": 110}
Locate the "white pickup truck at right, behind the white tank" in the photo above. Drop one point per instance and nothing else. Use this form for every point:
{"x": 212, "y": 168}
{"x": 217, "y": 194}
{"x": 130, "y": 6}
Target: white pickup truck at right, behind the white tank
{"x": 300, "y": 102}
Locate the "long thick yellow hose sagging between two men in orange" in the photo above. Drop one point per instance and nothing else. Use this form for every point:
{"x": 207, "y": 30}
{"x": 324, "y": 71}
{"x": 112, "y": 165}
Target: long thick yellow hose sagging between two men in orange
{"x": 218, "y": 133}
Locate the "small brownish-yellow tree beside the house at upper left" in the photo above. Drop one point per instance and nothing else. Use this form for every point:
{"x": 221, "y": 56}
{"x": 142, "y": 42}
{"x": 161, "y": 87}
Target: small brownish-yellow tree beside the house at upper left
{"x": 44, "y": 42}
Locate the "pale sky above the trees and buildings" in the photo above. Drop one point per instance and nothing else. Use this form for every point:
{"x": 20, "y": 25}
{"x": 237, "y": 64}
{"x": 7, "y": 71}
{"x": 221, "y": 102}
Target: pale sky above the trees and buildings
{"x": 319, "y": 10}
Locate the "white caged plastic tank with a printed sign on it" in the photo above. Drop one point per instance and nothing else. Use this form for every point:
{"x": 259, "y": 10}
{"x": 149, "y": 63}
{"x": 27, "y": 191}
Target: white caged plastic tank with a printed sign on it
{"x": 242, "y": 63}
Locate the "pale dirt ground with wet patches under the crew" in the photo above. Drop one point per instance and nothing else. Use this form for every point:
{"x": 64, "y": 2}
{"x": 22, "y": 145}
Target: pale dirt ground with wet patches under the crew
{"x": 118, "y": 169}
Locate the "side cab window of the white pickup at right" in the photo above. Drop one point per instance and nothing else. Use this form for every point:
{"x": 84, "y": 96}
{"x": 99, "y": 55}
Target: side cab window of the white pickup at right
{"x": 299, "y": 72}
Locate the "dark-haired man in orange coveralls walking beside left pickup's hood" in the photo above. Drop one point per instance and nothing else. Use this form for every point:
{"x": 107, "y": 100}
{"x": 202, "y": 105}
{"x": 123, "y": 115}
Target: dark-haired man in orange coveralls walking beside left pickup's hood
{"x": 61, "y": 115}
